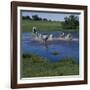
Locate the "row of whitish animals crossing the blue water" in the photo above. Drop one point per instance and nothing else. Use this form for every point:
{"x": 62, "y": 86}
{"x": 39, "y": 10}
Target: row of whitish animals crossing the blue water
{"x": 45, "y": 37}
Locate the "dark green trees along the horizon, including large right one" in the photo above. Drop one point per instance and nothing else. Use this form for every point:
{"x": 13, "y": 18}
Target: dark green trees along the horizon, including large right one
{"x": 71, "y": 22}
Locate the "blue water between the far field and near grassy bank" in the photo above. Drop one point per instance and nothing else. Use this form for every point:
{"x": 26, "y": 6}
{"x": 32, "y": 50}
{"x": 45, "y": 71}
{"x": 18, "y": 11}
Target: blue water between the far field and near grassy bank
{"x": 66, "y": 49}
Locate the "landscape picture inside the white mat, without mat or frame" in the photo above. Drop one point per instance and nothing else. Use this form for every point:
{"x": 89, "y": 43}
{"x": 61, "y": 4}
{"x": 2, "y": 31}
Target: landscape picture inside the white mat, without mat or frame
{"x": 49, "y": 44}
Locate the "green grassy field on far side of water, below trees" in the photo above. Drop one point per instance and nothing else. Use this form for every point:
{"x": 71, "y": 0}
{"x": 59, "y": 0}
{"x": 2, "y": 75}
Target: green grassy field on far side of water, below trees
{"x": 26, "y": 26}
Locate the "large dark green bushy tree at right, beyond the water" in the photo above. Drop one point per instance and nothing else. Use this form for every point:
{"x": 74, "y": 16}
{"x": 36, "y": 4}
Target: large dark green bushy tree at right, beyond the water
{"x": 71, "y": 22}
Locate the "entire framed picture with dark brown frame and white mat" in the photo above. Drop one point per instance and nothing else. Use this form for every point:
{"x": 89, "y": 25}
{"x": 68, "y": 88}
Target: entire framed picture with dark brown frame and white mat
{"x": 48, "y": 44}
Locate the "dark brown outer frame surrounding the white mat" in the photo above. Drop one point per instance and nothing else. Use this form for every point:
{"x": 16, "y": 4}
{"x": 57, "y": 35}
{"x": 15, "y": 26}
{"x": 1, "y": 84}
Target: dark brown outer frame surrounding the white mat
{"x": 14, "y": 5}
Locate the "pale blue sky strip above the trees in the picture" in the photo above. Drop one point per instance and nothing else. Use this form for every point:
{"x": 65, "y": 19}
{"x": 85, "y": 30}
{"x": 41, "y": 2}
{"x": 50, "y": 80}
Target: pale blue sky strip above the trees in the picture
{"x": 49, "y": 16}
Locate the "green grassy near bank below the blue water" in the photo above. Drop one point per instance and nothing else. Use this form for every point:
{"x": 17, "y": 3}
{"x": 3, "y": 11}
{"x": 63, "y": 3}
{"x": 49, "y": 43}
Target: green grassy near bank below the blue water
{"x": 35, "y": 66}
